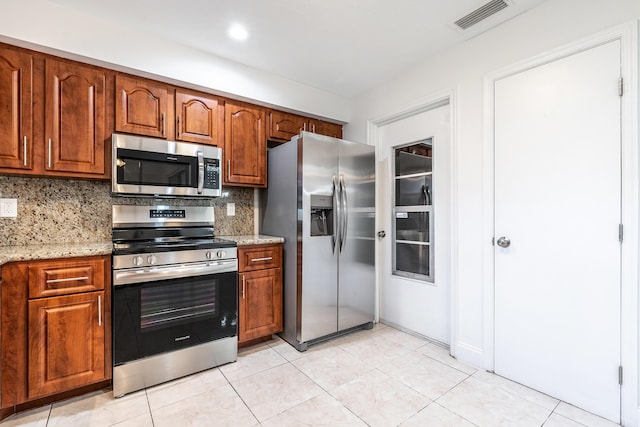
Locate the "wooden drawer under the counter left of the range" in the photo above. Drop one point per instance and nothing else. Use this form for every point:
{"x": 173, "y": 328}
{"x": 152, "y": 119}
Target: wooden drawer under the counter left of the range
{"x": 66, "y": 277}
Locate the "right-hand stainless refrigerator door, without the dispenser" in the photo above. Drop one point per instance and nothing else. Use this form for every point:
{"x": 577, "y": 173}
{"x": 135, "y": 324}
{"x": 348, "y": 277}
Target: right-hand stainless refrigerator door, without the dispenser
{"x": 356, "y": 289}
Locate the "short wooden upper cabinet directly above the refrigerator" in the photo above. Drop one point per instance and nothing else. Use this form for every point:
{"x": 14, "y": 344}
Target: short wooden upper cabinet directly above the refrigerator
{"x": 284, "y": 126}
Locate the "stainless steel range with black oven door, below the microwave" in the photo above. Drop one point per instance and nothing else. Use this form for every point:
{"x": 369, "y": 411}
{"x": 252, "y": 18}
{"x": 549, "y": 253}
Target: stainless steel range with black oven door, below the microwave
{"x": 174, "y": 295}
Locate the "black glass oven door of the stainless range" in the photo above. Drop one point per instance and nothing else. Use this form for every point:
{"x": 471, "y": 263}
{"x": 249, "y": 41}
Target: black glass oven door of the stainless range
{"x": 159, "y": 316}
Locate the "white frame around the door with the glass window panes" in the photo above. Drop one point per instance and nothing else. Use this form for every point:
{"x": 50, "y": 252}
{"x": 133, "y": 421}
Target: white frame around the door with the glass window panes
{"x": 430, "y": 102}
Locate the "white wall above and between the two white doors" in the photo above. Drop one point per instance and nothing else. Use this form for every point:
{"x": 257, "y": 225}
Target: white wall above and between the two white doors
{"x": 553, "y": 24}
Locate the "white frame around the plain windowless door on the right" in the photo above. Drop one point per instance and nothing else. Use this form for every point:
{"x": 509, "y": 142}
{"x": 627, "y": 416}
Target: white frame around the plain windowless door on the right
{"x": 628, "y": 36}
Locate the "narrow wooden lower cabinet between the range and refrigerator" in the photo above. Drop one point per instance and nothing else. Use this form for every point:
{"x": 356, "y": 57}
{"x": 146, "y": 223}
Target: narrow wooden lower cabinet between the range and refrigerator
{"x": 260, "y": 291}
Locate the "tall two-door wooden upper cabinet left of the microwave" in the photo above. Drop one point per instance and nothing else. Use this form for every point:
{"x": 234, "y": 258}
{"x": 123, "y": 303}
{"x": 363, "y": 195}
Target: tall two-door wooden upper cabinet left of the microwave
{"x": 53, "y": 116}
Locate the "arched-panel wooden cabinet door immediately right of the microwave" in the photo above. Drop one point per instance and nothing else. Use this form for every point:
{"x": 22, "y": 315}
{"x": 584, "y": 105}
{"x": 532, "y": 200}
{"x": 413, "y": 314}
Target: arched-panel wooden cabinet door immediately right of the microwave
{"x": 245, "y": 145}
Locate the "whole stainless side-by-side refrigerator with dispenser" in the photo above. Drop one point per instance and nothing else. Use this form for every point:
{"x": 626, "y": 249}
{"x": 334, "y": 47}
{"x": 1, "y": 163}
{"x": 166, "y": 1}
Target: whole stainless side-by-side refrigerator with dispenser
{"x": 321, "y": 199}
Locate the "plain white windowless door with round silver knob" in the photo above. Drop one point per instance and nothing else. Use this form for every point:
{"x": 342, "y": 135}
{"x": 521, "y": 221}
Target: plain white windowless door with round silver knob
{"x": 557, "y": 199}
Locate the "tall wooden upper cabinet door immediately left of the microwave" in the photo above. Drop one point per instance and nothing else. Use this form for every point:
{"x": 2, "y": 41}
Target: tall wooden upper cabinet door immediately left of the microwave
{"x": 75, "y": 118}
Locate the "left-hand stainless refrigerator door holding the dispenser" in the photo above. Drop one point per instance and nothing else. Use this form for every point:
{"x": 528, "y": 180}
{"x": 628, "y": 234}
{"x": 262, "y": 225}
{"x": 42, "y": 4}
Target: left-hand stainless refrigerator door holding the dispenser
{"x": 318, "y": 299}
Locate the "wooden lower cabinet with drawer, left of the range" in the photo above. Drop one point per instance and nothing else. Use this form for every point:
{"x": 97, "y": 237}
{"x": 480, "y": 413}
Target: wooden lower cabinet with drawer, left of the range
{"x": 55, "y": 321}
